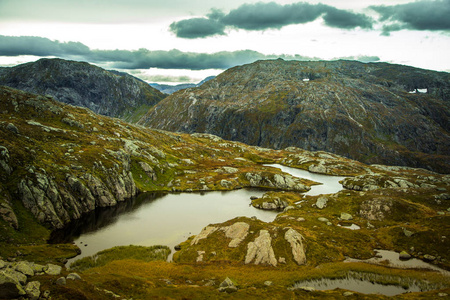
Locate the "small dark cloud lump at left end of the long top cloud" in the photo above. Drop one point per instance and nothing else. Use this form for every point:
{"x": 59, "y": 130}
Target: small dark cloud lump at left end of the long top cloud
{"x": 197, "y": 28}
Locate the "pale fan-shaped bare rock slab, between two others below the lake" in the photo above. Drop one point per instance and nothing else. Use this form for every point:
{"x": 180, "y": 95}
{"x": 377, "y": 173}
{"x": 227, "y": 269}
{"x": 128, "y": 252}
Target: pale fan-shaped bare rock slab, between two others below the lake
{"x": 260, "y": 251}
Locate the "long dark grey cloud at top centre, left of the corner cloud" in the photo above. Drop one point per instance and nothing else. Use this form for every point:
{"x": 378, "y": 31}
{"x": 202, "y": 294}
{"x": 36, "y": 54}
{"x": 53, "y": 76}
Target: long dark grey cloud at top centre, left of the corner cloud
{"x": 262, "y": 16}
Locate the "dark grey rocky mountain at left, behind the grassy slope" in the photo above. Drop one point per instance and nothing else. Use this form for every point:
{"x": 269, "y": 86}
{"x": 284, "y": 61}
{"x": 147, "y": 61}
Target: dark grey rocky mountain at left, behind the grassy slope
{"x": 81, "y": 84}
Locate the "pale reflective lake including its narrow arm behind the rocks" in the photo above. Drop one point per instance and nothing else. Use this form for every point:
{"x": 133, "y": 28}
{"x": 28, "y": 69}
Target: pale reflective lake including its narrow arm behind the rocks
{"x": 169, "y": 219}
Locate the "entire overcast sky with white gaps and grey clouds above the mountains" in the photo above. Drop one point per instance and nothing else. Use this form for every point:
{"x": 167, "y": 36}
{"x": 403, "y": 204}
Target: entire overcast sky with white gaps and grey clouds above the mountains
{"x": 178, "y": 41}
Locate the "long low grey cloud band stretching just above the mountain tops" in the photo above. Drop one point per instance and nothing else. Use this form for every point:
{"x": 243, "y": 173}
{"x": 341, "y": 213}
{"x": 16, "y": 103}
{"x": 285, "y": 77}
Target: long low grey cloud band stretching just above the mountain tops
{"x": 138, "y": 59}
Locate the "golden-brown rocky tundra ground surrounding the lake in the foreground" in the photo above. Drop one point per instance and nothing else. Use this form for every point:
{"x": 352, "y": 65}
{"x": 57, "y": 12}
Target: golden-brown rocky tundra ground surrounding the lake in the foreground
{"x": 58, "y": 162}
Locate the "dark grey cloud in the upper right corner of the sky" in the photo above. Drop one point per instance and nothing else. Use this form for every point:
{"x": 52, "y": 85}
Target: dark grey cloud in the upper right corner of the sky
{"x": 422, "y": 15}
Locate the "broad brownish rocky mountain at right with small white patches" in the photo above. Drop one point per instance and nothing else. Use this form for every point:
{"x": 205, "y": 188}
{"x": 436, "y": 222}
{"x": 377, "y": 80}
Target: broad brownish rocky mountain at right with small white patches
{"x": 374, "y": 113}
